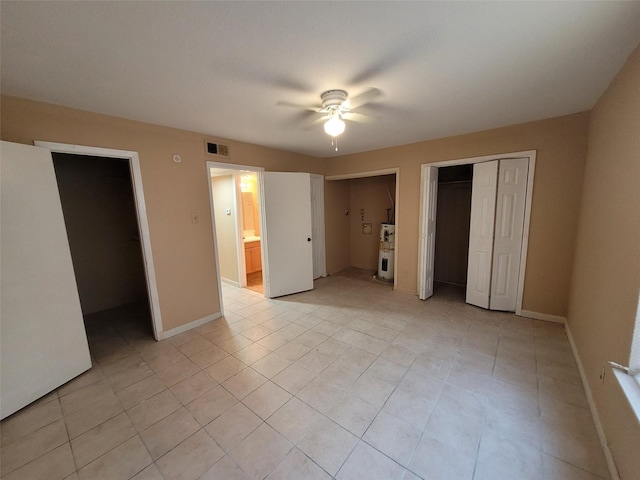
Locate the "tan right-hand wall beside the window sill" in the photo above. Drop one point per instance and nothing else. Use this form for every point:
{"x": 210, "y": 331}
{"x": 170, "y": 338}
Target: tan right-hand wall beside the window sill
{"x": 606, "y": 274}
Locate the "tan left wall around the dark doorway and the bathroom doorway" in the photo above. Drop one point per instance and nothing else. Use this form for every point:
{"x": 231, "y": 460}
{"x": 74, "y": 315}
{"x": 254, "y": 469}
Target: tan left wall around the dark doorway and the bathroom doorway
{"x": 183, "y": 252}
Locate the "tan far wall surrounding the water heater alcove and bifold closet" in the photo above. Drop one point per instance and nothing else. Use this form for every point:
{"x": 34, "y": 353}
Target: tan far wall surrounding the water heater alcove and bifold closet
{"x": 561, "y": 149}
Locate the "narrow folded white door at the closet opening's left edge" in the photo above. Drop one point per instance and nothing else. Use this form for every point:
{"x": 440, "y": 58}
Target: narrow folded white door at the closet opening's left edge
{"x": 428, "y": 233}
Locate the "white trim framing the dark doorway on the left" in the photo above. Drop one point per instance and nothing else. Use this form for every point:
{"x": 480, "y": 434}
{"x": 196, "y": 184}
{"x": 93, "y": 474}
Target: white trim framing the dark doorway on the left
{"x": 141, "y": 210}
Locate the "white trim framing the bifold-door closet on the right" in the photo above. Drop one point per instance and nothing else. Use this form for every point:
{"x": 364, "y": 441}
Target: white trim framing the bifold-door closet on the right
{"x": 531, "y": 156}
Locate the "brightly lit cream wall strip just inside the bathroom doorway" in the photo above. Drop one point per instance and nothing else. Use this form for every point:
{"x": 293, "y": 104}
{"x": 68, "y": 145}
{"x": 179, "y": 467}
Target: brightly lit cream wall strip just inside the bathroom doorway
{"x": 223, "y": 193}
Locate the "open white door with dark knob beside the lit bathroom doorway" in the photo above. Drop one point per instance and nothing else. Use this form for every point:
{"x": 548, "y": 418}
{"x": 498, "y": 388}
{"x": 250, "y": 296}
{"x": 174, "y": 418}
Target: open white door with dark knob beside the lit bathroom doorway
{"x": 287, "y": 249}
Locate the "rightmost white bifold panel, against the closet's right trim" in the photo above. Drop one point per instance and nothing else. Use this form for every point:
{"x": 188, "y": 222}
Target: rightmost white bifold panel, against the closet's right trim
{"x": 507, "y": 245}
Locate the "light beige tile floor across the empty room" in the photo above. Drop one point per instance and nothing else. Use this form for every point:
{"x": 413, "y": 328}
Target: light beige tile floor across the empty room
{"x": 350, "y": 381}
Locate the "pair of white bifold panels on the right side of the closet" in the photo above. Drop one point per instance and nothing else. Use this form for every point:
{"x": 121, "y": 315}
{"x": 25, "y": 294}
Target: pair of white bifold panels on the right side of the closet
{"x": 495, "y": 239}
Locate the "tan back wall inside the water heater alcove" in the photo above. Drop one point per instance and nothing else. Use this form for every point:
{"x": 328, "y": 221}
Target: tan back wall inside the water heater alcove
{"x": 370, "y": 194}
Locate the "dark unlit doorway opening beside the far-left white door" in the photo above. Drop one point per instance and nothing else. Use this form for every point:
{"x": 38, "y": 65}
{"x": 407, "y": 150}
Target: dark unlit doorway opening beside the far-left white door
{"x": 99, "y": 211}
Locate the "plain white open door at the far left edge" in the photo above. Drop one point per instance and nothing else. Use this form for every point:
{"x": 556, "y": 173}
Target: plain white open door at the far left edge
{"x": 42, "y": 335}
